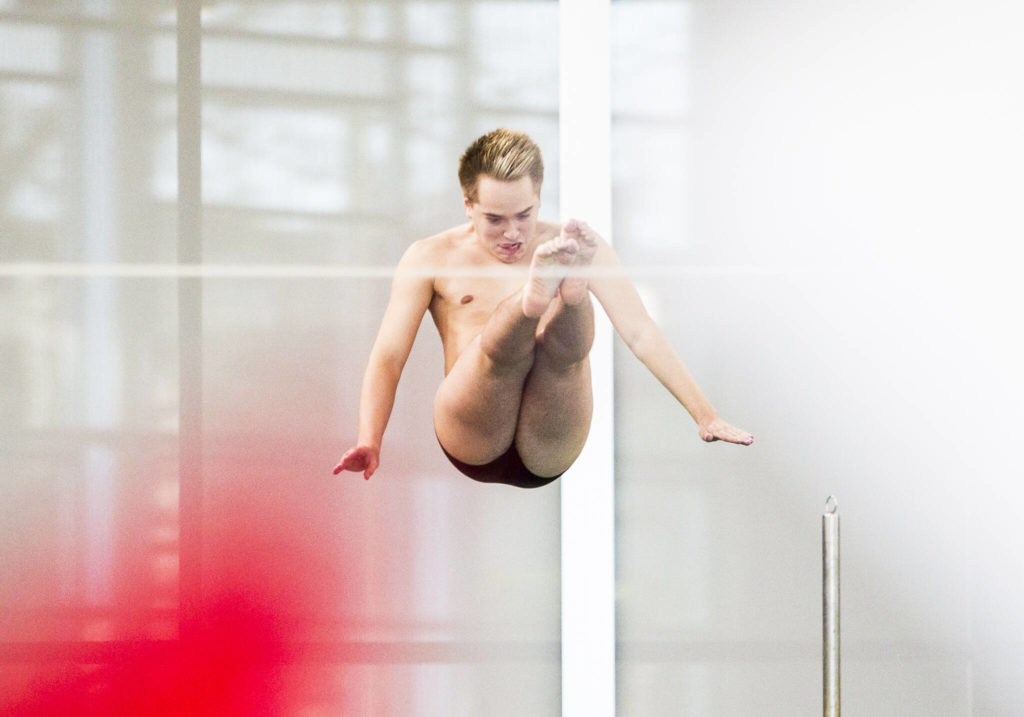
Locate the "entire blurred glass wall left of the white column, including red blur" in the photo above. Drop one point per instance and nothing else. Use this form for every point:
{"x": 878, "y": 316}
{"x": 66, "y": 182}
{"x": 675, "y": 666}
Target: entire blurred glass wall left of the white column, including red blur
{"x": 330, "y": 140}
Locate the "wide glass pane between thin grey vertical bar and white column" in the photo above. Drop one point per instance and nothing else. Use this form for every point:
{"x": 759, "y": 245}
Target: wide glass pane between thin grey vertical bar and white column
{"x": 331, "y": 140}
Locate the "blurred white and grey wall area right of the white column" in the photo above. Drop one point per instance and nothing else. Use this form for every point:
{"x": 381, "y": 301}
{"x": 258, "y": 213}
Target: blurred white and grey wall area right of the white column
{"x": 839, "y": 186}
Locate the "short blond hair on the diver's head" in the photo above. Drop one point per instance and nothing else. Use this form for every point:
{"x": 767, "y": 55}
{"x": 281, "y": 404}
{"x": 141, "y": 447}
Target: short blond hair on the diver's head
{"x": 505, "y": 155}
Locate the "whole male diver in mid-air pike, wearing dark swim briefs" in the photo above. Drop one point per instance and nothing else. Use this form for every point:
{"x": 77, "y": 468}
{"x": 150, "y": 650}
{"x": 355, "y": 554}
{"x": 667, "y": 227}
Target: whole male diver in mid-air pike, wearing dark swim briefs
{"x": 511, "y": 299}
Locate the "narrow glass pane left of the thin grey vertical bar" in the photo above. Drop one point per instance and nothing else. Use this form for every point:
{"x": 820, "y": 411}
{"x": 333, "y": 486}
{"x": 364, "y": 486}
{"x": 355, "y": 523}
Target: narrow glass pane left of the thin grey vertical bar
{"x": 90, "y": 400}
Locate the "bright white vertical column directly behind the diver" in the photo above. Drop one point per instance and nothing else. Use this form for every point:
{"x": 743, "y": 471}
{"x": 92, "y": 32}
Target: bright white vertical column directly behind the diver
{"x": 588, "y": 490}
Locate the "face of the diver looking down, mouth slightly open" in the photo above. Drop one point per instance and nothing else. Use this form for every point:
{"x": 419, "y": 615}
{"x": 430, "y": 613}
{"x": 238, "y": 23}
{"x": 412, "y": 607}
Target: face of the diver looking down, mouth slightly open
{"x": 505, "y": 217}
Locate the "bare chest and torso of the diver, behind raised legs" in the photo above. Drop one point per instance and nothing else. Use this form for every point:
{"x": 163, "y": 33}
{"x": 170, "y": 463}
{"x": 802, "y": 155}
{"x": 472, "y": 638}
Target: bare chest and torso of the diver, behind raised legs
{"x": 464, "y": 301}
